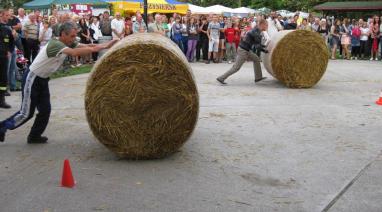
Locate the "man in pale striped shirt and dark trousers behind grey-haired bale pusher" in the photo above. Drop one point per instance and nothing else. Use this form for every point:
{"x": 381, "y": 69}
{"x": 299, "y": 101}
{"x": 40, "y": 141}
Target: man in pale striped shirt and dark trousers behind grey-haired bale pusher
{"x": 31, "y": 29}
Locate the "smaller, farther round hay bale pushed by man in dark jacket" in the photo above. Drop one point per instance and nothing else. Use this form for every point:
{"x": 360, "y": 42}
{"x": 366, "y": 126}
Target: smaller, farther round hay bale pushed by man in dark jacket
{"x": 297, "y": 58}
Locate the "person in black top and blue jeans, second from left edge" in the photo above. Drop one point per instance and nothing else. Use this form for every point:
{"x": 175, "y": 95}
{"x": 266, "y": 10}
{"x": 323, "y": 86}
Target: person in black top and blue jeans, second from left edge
{"x": 15, "y": 26}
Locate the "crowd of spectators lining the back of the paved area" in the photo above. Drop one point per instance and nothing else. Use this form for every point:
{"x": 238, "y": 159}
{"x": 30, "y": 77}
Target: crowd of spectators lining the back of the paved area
{"x": 207, "y": 38}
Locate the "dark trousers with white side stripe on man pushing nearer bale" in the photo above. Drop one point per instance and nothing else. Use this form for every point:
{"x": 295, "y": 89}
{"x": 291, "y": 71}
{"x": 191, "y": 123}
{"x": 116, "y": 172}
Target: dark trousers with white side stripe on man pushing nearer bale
{"x": 35, "y": 95}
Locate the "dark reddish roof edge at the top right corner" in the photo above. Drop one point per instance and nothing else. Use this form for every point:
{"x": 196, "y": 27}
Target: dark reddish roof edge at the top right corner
{"x": 350, "y": 6}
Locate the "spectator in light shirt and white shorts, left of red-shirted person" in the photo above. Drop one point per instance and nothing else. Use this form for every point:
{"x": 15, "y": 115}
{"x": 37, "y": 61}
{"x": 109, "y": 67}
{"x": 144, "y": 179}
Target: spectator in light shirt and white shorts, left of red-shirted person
{"x": 213, "y": 37}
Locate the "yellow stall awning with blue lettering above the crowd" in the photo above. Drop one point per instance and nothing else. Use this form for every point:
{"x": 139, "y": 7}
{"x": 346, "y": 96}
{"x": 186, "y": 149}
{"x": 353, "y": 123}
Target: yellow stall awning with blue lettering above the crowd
{"x": 154, "y": 6}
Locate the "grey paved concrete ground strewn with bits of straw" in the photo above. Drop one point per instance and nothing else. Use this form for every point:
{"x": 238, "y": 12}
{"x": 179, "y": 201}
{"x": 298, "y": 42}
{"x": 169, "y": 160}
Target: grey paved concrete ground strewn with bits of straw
{"x": 256, "y": 147}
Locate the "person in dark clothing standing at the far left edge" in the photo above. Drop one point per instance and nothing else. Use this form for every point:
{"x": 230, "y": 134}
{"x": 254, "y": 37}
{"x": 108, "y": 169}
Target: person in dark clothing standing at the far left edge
{"x": 6, "y": 47}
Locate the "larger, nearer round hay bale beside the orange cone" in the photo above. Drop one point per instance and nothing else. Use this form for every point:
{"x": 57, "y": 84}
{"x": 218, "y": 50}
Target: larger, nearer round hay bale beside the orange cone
{"x": 141, "y": 98}
